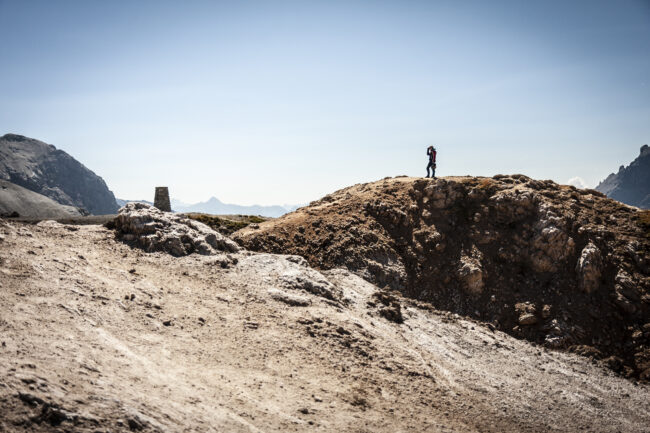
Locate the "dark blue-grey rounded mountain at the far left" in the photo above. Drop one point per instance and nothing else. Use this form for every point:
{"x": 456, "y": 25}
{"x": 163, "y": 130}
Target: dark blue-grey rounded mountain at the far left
{"x": 49, "y": 171}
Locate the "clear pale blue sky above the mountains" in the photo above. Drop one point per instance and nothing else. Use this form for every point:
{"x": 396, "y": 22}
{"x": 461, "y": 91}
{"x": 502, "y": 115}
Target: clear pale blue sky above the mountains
{"x": 282, "y": 102}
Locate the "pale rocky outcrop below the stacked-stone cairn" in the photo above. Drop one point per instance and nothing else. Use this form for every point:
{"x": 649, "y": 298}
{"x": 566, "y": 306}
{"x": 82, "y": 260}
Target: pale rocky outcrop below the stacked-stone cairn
{"x": 154, "y": 230}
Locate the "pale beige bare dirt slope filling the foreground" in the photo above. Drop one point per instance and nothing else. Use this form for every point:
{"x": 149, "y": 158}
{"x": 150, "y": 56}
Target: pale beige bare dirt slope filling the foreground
{"x": 97, "y": 335}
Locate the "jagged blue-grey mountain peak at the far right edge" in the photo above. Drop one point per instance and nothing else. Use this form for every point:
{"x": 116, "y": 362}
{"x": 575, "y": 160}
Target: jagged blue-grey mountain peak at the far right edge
{"x": 631, "y": 185}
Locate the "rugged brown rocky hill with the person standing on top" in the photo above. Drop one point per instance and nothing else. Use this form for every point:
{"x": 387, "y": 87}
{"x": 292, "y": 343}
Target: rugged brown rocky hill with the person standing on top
{"x": 562, "y": 267}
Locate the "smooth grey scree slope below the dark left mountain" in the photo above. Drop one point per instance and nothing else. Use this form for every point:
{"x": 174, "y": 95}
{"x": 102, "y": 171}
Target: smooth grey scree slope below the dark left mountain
{"x": 21, "y": 202}
